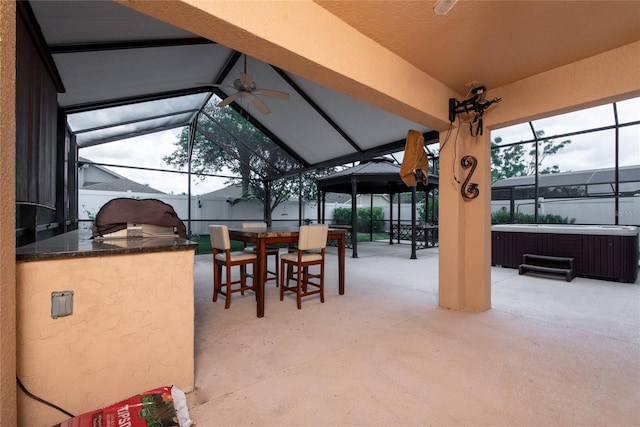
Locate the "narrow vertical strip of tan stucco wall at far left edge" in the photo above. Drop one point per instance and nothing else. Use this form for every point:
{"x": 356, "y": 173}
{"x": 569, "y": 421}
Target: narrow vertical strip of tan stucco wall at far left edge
{"x": 7, "y": 214}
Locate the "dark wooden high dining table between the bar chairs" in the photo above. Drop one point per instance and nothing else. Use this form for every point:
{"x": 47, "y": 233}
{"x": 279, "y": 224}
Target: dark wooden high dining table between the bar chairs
{"x": 278, "y": 235}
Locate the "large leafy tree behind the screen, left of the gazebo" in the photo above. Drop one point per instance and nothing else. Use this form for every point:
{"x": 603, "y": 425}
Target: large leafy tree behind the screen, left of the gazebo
{"x": 225, "y": 141}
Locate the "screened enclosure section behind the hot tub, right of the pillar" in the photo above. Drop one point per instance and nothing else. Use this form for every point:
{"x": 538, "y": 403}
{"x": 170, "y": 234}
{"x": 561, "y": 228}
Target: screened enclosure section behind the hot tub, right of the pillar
{"x": 577, "y": 168}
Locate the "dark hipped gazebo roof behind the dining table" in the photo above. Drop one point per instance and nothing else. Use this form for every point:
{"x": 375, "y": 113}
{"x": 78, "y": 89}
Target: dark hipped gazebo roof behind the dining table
{"x": 378, "y": 176}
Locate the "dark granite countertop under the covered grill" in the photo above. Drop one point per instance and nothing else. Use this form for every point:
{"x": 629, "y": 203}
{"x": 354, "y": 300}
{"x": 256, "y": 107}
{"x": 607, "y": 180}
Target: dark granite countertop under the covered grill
{"x": 78, "y": 243}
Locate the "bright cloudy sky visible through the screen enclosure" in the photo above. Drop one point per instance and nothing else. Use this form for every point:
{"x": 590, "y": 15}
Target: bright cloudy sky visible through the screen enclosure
{"x": 588, "y": 151}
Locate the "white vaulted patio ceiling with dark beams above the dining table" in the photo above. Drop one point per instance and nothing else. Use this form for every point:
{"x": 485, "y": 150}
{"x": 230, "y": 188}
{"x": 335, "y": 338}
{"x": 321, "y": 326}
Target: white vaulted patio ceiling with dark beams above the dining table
{"x": 126, "y": 74}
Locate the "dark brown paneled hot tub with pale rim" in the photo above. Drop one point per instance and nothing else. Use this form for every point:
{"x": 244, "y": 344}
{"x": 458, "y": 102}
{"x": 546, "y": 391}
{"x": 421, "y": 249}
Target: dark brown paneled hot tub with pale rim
{"x": 601, "y": 251}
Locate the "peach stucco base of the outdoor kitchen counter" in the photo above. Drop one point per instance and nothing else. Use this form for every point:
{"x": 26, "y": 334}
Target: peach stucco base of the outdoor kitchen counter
{"x": 132, "y": 329}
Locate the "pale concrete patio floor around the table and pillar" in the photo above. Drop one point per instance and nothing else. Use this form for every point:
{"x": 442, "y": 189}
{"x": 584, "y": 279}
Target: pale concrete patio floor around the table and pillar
{"x": 549, "y": 352}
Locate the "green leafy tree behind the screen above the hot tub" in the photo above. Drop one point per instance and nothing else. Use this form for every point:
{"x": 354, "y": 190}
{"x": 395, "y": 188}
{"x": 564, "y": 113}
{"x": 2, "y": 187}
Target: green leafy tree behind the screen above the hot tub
{"x": 507, "y": 162}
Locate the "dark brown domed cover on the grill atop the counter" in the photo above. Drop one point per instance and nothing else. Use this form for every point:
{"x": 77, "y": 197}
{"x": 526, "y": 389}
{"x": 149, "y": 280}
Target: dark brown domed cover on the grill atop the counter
{"x": 117, "y": 213}
